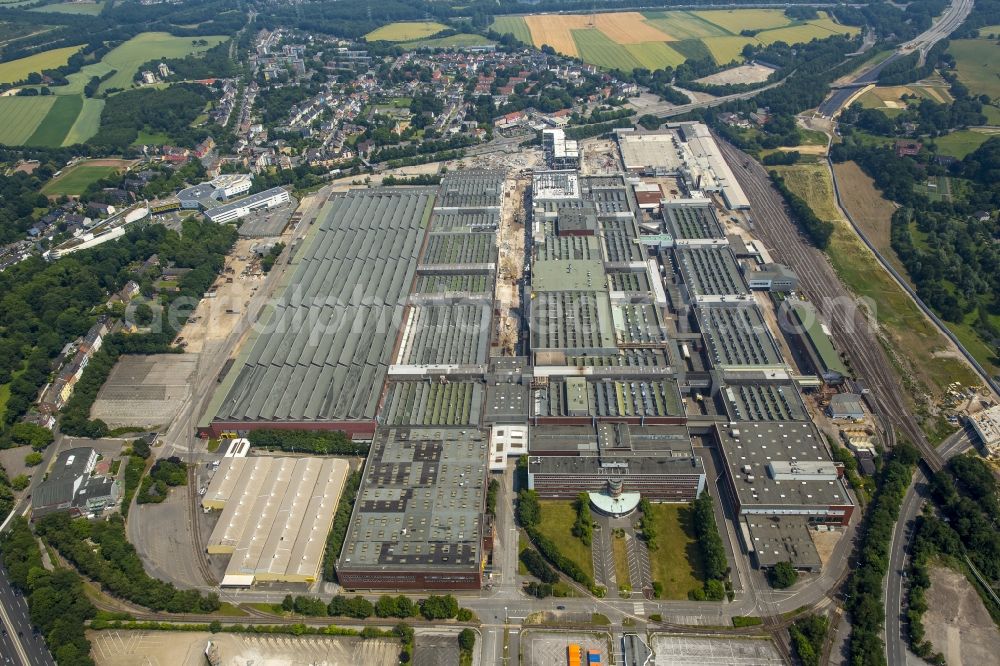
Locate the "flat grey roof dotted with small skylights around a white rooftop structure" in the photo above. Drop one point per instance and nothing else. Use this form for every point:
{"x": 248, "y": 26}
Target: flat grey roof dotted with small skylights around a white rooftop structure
{"x": 756, "y": 453}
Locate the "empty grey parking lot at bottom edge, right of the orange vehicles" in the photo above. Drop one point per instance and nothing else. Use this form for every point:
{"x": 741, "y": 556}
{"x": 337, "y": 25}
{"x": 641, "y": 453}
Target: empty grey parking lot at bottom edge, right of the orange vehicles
{"x": 704, "y": 651}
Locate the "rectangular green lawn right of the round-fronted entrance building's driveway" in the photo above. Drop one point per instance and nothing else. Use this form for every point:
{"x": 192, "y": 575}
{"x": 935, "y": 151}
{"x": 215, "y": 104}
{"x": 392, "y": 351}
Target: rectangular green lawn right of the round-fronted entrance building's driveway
{"x": 676, "y": 563}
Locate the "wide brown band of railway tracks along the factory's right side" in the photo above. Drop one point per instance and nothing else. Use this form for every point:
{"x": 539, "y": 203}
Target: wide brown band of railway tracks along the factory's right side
{"x": 853, "y": 331}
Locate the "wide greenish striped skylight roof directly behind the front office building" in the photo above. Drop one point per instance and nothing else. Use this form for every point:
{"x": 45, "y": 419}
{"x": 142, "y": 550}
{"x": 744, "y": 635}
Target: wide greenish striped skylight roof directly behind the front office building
{"x": 605, "y": 398}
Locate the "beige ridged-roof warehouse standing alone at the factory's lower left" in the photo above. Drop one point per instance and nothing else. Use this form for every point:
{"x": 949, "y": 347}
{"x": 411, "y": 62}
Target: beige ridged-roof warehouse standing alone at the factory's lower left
{"x": 276, "y": 514}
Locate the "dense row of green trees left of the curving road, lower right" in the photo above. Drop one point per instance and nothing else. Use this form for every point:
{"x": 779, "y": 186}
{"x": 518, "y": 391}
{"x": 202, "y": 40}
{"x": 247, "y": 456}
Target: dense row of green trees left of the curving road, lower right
{"x": 865, "y": 603}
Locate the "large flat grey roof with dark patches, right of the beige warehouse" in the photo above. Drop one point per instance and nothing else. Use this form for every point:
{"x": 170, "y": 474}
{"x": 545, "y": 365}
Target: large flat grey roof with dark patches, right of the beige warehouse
{"x": 420, "y": 503}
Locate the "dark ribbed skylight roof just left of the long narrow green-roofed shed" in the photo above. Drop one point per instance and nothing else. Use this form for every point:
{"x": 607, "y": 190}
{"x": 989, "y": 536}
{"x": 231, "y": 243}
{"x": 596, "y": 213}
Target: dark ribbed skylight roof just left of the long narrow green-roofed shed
{"x": 736, "y": 335}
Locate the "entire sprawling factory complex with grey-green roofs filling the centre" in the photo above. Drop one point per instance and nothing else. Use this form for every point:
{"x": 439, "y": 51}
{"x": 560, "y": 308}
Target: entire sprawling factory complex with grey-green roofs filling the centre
{"x": 645, "y": 363}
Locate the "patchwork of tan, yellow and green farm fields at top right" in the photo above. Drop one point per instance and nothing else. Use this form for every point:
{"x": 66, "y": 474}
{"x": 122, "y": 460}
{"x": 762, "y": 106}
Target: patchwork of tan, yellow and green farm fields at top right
{"x": 623, "y": 39}
